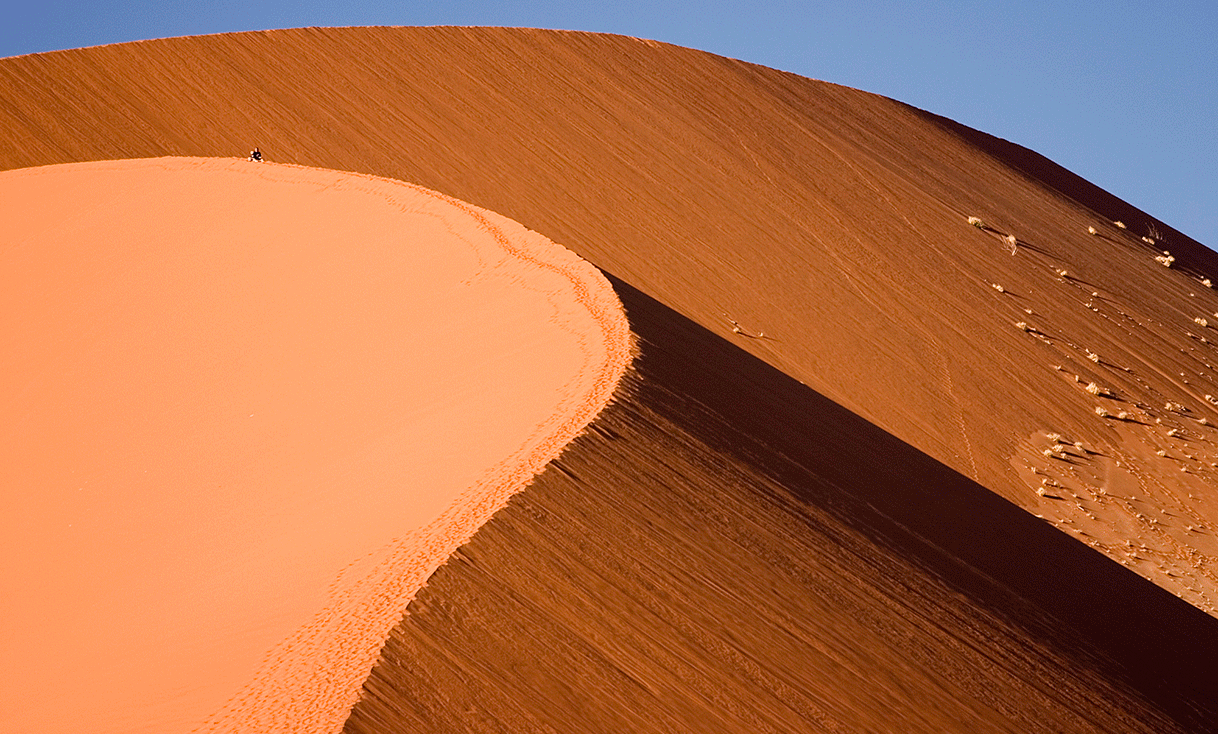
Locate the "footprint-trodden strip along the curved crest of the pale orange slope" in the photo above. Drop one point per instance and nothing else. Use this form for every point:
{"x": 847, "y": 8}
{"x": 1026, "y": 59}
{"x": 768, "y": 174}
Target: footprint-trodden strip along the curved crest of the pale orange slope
{"x": 312, "y": 680}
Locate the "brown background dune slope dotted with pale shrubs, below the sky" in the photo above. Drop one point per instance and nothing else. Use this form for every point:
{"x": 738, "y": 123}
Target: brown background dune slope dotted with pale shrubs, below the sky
{"x": 833, "y": 221}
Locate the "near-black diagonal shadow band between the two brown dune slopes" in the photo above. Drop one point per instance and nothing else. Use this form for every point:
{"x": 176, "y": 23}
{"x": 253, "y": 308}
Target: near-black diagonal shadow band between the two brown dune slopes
{"x": 1060, "y": 591}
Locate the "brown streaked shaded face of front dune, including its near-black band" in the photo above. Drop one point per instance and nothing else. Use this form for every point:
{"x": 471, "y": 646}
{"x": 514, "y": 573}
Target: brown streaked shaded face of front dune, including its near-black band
{"x": 728, "y": 551}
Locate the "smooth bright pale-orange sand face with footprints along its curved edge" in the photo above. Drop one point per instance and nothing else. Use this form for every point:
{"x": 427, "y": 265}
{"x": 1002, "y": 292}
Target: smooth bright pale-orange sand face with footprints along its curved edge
{"x": 253, "y": 408}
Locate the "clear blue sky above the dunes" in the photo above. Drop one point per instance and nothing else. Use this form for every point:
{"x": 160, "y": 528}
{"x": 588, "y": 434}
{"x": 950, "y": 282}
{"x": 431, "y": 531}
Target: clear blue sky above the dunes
{"x": 1124, "y": 93}
